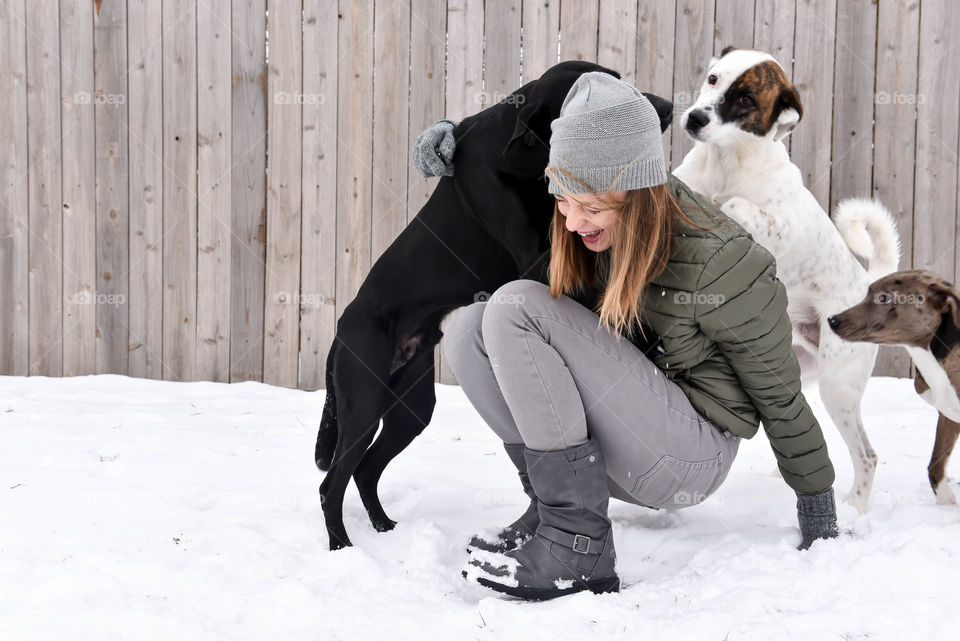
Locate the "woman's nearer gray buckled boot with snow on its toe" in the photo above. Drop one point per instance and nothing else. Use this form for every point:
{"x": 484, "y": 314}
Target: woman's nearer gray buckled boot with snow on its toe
{"x": 572, "y": 549}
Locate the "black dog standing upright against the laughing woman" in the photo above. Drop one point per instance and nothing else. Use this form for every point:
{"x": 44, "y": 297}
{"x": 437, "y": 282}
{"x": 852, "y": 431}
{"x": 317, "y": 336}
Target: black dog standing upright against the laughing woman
{"x": 481, "y": 228}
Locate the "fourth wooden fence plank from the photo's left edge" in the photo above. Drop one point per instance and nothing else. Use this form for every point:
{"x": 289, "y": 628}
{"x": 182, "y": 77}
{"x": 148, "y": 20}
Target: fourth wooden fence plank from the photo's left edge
{"x": 112, "y": 213}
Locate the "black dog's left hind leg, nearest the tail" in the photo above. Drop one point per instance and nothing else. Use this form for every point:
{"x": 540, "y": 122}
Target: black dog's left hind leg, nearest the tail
{"x": 362, "y": 368}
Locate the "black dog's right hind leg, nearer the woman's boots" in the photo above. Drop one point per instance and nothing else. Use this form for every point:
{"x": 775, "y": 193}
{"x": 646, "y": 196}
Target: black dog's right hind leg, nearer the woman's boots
{"x": 408, "y": 410}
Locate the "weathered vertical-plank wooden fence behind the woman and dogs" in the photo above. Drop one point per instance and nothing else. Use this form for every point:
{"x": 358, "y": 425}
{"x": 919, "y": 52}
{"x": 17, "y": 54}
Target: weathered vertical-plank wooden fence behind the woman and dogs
{"x": 194, "y": 189}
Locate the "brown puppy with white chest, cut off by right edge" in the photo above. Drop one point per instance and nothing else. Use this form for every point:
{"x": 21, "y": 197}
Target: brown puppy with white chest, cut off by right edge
{"x": 921, "y": 311}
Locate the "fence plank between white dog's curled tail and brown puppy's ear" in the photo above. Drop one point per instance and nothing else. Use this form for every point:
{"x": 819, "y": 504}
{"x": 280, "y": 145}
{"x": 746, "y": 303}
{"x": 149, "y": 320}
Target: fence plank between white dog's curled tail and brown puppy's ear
{"x": 895, "y": 143}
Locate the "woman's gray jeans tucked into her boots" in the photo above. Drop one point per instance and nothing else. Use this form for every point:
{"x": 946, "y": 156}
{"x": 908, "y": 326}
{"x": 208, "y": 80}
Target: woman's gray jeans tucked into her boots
{"x": 542, "y": 371}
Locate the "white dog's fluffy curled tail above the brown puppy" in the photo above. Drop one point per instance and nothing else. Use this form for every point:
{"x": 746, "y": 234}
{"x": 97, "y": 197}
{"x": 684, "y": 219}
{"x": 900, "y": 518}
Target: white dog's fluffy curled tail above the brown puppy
{"x": 870, "y": 232}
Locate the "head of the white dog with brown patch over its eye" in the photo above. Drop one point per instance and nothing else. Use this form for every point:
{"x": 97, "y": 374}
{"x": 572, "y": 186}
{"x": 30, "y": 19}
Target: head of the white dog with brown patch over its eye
{"x": 745, "y": 96}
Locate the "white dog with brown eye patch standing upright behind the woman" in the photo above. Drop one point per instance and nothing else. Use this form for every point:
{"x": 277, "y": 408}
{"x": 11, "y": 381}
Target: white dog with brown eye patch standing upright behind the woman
{"x": 744, "y": 109}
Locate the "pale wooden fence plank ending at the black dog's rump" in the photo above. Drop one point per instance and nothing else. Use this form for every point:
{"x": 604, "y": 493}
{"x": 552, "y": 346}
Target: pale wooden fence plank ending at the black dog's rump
{"x": 354, "y": 148}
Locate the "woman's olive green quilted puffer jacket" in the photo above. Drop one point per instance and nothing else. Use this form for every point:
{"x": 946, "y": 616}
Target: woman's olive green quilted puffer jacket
{"x": 721, "y": 313}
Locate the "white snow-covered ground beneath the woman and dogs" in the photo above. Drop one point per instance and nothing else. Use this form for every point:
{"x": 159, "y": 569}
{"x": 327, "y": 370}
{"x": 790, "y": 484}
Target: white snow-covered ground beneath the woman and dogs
{"x": 133, "y": 509}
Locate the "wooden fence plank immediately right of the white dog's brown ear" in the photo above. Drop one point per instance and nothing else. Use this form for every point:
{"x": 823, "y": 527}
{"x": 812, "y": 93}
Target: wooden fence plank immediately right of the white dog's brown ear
{"x": 813, "y": 76}
